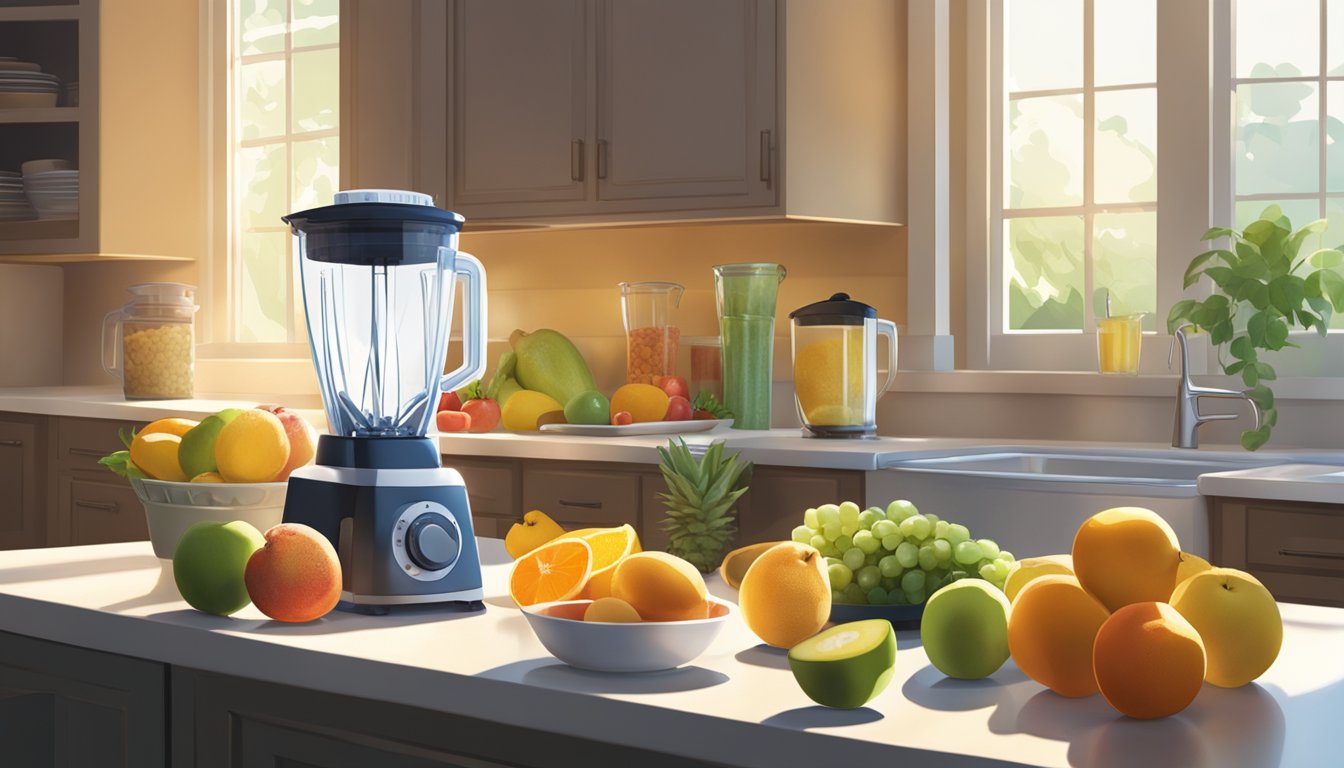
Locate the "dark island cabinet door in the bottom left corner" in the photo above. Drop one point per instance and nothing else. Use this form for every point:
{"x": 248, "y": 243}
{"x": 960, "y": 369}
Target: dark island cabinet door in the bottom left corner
{"x": 71, "y": 707}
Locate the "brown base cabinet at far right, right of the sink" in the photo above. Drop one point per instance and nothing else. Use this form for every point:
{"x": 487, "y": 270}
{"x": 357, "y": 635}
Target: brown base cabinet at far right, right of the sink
{"x": 1295, "y": 548}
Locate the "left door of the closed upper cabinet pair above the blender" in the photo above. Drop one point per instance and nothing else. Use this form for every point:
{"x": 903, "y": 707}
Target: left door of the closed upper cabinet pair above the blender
{"x": 521, "y": 95}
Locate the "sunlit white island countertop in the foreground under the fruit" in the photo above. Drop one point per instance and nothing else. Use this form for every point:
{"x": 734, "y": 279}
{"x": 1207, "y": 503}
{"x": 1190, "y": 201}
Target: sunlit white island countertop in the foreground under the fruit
{"x": 737, "y": 704}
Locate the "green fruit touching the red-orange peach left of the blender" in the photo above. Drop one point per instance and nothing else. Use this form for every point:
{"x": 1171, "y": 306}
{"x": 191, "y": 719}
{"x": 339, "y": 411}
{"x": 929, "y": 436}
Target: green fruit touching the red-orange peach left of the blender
{"x": 210, "y": 562}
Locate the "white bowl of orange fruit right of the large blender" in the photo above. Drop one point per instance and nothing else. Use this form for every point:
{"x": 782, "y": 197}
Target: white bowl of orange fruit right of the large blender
{"x": 612, "y": 648}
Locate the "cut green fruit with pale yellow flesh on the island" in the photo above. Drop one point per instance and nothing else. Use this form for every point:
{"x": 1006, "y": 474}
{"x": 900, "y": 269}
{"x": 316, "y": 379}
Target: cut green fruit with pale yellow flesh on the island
{"x": 846, "y": 666}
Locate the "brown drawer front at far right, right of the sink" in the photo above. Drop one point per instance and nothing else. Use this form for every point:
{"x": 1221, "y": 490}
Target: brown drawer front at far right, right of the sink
{"x": 1299, "y": 539}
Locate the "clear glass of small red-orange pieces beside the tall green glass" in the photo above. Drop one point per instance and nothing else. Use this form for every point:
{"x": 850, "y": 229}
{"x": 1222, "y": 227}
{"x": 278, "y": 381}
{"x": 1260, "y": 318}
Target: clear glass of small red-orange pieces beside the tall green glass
{"x": 651, "y": 334}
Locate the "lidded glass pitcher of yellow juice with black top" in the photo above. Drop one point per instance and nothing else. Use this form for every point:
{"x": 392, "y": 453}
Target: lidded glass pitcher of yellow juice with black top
{"x": 835, "y": 367}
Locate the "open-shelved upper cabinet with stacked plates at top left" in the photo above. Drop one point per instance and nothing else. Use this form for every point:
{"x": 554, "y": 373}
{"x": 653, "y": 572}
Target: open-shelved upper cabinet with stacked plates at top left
{"x": 100, "y": 131}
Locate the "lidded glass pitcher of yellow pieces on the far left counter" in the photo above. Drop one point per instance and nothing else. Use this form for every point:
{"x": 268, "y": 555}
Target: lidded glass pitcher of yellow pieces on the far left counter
{"x": 151, "y": 345}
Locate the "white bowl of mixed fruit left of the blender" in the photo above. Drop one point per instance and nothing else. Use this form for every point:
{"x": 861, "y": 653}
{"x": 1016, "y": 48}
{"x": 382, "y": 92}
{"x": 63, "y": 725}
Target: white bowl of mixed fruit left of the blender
{"x": 174, "y": 508}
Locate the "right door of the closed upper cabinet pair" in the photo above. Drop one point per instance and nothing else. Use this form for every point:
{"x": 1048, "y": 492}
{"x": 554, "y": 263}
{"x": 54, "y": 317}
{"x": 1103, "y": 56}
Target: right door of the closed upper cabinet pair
{"x": 686, "y": 103}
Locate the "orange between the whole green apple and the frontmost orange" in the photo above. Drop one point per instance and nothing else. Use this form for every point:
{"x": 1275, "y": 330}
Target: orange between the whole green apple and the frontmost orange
{"x": 1052, "y": 630}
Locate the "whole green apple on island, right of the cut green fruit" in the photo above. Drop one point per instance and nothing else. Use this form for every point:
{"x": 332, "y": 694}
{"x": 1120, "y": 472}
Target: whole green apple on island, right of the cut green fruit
{"x": 966, "y": 629}
